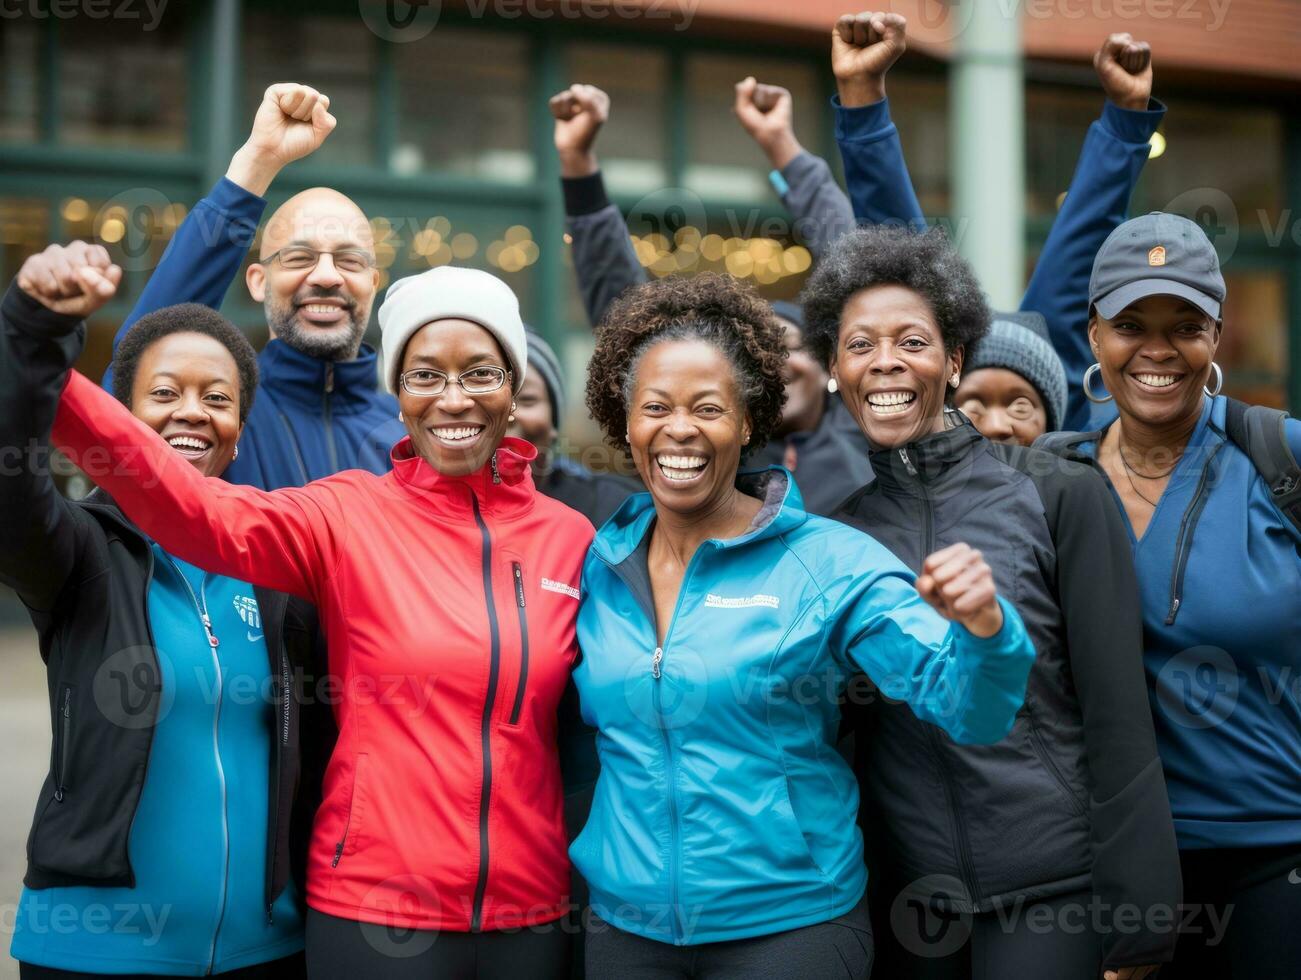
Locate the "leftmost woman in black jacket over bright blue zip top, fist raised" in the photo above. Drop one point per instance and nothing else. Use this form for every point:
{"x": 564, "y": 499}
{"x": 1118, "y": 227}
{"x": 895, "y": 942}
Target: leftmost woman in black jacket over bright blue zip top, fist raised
{"x": 168, "y": 837}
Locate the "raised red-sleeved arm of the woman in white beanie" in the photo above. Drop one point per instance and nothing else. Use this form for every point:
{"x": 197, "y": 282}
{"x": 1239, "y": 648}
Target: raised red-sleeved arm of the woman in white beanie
{"x": 288, "y": 541}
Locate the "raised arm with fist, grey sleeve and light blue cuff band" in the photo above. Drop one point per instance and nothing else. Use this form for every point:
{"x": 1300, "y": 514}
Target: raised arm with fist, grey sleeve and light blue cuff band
{"x": 820, "y": 210}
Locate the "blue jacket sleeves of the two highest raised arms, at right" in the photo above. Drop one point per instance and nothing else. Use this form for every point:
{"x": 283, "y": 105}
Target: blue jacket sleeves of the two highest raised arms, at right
{"x": 1097, "y": 201}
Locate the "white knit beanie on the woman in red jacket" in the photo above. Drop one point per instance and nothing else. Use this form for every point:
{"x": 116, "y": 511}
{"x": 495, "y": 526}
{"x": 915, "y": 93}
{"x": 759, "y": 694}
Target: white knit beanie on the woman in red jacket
{"x": 451, "y": 293}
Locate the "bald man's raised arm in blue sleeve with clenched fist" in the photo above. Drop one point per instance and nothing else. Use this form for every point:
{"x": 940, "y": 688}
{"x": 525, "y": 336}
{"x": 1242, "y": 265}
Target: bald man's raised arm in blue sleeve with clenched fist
{"x": 208, "y": 251}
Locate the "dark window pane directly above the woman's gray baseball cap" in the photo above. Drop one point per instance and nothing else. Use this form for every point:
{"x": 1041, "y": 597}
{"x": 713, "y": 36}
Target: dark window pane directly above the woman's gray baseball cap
{"x": 1237, "y": 152}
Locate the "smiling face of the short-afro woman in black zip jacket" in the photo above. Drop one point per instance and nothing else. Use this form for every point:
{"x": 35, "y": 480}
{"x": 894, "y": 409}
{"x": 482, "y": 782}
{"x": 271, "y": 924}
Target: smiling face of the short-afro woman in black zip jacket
{"x": 891, "y": 365}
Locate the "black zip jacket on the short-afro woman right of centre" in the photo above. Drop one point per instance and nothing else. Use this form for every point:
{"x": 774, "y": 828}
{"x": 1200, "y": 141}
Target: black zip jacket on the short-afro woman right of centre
{"x": 1074, "y": 798}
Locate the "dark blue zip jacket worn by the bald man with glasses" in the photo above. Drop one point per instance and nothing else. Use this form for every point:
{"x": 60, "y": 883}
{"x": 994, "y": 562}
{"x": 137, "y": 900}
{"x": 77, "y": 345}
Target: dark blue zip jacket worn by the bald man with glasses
{"x": 312, "y": 418}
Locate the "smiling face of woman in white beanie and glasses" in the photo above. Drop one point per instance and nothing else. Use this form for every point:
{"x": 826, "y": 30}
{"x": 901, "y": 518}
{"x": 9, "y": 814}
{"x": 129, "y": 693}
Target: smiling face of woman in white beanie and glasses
{"x": 455, "y": 433}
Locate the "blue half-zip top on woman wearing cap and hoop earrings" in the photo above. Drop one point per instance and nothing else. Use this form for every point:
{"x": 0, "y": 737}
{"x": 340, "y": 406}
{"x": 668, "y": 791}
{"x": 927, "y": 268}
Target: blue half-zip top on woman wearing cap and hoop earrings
{"x": 1220, "y": 569}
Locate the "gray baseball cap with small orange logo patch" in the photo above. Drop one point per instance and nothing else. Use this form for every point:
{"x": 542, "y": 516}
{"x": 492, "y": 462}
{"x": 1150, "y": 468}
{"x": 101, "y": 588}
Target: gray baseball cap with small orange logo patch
{"x": 1157, "y": 254}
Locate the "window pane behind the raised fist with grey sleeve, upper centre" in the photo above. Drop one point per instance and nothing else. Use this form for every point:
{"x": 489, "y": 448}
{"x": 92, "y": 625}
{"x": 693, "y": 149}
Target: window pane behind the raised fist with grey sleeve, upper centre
{"x": 725, "y": 162}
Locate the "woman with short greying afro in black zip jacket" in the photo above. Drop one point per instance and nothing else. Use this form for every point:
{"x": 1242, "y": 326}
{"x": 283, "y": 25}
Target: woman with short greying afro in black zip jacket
{"x": 1051, "y": 853}
